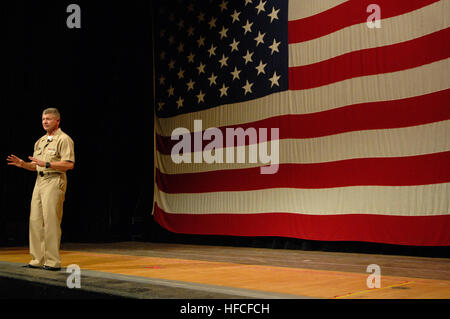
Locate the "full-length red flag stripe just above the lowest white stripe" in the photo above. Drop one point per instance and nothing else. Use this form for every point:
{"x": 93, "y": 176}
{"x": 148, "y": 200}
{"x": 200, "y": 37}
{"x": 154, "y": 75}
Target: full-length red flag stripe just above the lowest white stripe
{"x": 396, "y": 171}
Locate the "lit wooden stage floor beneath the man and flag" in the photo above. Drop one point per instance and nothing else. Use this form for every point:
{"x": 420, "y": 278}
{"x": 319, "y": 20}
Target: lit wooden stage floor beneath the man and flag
{"x": 155, "y": 270}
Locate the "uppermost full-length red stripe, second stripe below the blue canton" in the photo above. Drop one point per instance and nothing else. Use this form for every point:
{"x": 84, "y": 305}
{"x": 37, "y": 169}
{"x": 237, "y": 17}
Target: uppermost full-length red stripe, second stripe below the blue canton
{"x": 412, "y": 111}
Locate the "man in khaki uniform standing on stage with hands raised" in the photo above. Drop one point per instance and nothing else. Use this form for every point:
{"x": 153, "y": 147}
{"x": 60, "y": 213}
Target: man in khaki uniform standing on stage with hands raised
{"x": 53, "y": 156}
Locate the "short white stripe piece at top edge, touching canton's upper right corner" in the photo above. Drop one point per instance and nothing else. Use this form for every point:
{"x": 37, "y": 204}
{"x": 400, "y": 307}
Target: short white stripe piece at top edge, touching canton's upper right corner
{"x": 300, "y": 9}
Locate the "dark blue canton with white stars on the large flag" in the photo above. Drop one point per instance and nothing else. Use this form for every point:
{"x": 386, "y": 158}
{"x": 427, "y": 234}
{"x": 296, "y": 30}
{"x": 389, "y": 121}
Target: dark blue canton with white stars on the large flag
{"x": 211, "y": 53}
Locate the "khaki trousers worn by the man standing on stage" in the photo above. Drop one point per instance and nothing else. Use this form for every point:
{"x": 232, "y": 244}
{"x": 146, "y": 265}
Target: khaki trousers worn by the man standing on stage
{"x": 45, "y": 219}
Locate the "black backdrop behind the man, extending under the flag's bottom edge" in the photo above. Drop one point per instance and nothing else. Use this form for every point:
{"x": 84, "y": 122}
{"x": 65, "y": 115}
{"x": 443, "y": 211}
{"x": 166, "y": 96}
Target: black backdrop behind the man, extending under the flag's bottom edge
{"x": 100, "y": 77}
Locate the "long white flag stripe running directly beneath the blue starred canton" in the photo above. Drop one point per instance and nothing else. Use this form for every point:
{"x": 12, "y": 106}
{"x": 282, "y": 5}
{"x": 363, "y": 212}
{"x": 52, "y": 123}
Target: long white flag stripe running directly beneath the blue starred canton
{"x": 422, "y": 80}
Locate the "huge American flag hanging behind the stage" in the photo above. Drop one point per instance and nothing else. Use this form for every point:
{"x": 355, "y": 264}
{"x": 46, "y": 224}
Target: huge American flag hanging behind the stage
{"x": 363, "y": 116}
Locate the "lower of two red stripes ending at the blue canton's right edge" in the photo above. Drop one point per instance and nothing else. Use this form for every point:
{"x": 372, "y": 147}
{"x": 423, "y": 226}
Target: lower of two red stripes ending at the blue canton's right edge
{"x": 391, "y": 58}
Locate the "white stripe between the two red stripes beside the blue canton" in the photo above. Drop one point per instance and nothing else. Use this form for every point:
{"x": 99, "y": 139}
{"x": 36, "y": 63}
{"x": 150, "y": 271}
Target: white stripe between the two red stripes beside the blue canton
{"x": 394, "y": 30}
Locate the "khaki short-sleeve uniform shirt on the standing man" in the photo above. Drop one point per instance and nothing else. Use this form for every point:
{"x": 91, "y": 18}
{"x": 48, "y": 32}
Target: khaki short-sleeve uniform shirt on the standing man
{"x": 59, "y": 148}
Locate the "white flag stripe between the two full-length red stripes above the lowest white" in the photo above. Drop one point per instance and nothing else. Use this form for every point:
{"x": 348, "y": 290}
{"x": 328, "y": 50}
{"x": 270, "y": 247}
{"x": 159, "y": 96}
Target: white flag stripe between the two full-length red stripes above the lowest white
{"x": 407, "y": 141}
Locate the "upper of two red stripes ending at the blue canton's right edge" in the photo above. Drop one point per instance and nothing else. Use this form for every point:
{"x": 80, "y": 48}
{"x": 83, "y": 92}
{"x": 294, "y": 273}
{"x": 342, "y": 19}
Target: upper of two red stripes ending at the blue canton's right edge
{"x": 347, "y": 14}
